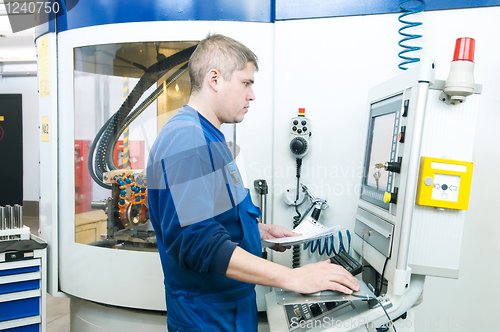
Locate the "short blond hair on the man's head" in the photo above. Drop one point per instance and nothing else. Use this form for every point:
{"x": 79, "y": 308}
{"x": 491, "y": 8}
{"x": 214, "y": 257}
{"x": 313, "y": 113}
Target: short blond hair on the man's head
{"x": 218, "y": 52}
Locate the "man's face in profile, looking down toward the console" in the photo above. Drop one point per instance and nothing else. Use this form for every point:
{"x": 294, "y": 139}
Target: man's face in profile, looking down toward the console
{"x": 236, "y": 94}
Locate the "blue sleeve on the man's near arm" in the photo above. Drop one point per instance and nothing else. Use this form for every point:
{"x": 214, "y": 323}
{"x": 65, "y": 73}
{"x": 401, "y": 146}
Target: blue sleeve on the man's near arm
{"x": 188, "y": 194}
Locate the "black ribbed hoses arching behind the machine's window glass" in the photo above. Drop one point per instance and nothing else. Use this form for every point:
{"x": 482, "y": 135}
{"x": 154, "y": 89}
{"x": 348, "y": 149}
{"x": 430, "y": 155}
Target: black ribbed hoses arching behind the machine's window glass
{"x": 107, "y": 134}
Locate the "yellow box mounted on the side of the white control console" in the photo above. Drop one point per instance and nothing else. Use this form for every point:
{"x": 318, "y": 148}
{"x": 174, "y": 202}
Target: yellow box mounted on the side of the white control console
{"x": 444, "y": 183}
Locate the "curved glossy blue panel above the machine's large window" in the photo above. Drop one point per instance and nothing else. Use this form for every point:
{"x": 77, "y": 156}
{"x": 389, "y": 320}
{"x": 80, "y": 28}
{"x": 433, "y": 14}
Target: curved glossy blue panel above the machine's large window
{"x": 92, "y": 13}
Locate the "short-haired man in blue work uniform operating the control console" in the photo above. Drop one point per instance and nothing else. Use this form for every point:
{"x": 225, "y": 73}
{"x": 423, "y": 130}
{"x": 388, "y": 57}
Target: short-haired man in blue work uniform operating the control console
{"x": 204, "y": 219}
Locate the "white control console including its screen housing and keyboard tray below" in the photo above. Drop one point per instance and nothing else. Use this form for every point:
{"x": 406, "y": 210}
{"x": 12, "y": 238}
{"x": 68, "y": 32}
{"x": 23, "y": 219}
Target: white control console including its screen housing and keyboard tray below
{"x": 412, "y": 241}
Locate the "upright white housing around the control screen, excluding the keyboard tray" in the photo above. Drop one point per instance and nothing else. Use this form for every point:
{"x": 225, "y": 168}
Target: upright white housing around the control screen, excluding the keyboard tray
{"x": 425, "y": 239}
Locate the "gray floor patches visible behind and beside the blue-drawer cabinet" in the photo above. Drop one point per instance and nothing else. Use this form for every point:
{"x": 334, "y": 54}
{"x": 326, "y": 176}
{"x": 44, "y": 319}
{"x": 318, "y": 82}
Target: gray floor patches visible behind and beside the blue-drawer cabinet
{"x": 57, "y": 308}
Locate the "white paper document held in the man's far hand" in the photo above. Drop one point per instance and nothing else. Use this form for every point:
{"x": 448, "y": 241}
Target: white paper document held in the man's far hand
{"x": 310, "y": 230}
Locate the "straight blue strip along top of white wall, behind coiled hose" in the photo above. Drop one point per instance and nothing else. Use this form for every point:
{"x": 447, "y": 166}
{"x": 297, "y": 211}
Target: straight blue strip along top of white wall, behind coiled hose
{"x": 299, "y": 9}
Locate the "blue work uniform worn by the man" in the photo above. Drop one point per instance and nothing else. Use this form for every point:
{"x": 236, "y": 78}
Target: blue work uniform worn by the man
{"x": 201, "y": 211}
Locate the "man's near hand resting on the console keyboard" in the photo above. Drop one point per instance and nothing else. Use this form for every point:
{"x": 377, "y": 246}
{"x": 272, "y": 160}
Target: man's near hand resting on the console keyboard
{"x": 312, "y": 278}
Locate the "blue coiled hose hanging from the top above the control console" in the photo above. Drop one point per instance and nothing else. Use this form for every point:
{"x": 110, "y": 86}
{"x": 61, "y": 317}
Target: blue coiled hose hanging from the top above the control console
{"x": 404, "y": 6}
